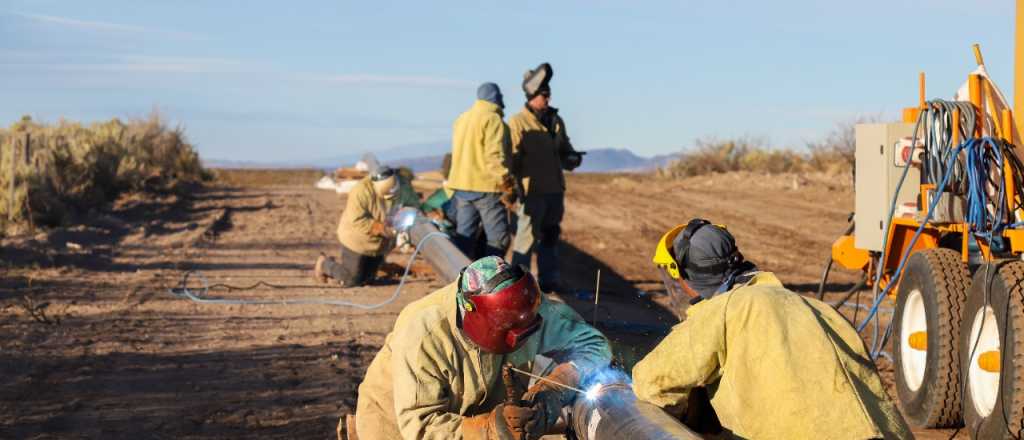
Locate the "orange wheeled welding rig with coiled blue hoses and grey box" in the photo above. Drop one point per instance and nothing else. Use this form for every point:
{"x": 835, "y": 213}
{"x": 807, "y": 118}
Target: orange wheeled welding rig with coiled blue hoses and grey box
{"x": 951, "y": 327}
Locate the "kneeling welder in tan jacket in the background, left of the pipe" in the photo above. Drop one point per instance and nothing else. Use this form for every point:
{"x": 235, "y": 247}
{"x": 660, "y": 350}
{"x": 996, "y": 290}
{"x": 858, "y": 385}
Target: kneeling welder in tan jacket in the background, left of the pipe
{"x": 364, "y": 232}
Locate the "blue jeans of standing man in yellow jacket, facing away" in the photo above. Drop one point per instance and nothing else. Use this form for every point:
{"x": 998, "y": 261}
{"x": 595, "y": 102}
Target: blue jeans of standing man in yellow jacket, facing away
{"x": 477, "y": 210}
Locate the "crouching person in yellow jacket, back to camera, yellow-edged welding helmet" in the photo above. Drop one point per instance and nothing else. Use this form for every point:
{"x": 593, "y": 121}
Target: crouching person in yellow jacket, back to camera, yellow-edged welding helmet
{"x": 775, "y": 365}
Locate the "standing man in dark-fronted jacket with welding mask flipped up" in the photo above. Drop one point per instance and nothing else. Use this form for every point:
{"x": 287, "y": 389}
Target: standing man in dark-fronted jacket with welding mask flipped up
{"x": 541, "y": 150}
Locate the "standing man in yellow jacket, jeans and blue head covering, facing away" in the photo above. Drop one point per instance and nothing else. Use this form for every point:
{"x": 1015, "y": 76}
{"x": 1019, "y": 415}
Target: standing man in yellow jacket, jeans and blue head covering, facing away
{"x": 480, "y": 173}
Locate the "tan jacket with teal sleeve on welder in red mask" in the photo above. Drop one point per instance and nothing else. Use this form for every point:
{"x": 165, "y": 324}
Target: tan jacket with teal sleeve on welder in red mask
{"x": 429, "y": 375}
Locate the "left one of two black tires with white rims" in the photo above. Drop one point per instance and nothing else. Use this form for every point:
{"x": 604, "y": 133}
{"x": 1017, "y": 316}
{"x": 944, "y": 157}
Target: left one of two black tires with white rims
{"x": 931, "y": 299}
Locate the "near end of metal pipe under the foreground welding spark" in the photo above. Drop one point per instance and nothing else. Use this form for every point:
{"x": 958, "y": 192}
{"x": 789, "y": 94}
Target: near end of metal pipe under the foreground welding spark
{"x": 614, "y": 412}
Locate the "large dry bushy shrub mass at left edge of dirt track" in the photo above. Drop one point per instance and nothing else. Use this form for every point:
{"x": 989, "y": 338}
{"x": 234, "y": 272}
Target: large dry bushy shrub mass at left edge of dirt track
{"x": 75, "y": 168}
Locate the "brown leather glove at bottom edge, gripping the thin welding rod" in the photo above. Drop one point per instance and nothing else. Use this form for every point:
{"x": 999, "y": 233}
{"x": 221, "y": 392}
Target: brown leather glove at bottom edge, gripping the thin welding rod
{"x": 506, "y": 422}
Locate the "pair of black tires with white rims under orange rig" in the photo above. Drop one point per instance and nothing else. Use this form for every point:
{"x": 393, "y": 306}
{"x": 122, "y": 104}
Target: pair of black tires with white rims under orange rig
{"x": 959, "y": 345}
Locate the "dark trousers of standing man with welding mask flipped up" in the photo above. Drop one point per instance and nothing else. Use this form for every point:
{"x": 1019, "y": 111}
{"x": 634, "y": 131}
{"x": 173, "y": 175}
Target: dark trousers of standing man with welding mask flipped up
{"x": 539, "y": 231}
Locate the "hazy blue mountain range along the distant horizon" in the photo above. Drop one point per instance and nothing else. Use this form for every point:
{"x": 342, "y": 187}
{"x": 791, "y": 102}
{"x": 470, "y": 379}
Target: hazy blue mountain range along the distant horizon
{"x": 428, "y": 156}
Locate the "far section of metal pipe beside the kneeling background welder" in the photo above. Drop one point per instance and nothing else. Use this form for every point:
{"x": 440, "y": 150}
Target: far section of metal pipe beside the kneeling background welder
{"x": 442, "y": 254}
